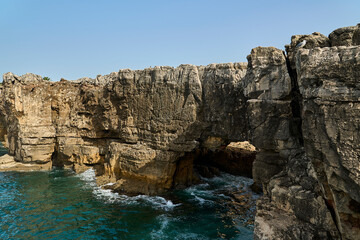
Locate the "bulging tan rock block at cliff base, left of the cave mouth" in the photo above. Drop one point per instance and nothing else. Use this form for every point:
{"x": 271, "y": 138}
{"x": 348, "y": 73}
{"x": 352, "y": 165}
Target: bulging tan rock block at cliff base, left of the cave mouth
{"x": 140, "y": 169}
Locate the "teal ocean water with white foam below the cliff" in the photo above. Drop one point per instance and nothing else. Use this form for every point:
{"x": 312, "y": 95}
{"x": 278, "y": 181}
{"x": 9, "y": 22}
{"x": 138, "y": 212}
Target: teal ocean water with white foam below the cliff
{"x": 61, "y": 204}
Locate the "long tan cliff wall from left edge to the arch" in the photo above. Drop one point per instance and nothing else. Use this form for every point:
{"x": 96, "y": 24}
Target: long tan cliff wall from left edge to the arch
{"x": 102, "y": 122}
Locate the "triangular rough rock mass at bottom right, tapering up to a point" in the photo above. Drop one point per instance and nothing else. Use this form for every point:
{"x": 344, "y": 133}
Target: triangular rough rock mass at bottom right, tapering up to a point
{"x": 294, "y": 206}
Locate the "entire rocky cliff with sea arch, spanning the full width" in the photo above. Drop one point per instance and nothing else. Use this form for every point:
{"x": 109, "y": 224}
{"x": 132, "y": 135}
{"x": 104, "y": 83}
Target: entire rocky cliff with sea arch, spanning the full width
{"x": 145, "y": 130}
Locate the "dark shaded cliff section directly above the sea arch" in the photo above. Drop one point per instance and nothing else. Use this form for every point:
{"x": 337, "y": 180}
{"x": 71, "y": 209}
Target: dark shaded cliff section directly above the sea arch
{"x": 224, "y": 116}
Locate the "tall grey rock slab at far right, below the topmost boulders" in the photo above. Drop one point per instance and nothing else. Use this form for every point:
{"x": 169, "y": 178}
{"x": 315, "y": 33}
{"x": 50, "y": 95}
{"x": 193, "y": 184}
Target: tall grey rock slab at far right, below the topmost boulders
{"x": 331, "y": 122}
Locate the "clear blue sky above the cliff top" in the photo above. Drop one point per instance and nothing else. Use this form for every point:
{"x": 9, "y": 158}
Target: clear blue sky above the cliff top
{"x": 78, "y": 38}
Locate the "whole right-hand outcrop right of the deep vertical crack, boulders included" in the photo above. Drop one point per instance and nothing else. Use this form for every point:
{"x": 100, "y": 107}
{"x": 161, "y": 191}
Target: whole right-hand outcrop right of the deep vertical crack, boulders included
{"x": 316, "y": 195}
